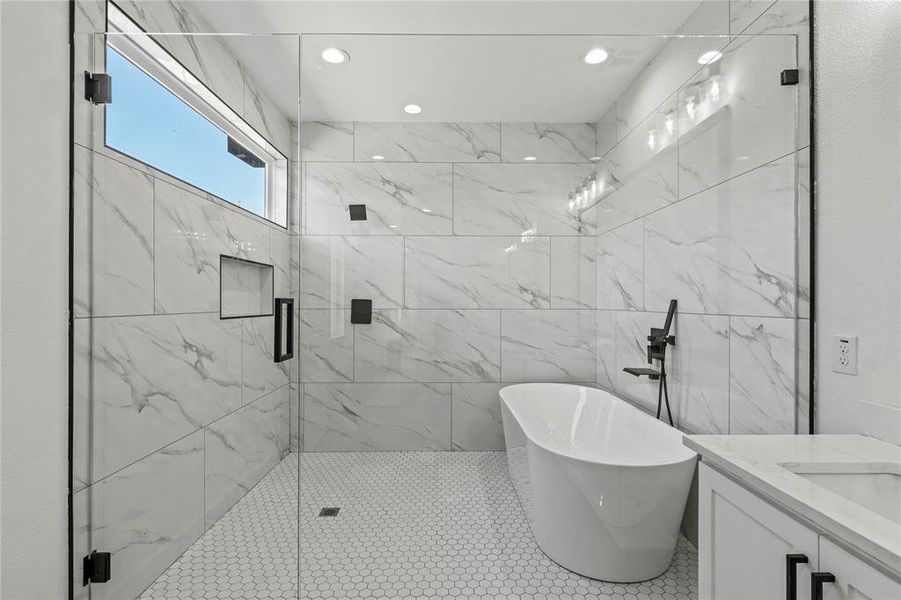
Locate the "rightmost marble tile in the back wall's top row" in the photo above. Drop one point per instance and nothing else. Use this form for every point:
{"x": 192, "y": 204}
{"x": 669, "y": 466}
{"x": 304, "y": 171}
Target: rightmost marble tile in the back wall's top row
{"x": 549, "y": 142}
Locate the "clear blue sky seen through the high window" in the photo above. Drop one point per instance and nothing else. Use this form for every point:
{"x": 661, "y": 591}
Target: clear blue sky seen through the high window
{"x": 148, "y": 122}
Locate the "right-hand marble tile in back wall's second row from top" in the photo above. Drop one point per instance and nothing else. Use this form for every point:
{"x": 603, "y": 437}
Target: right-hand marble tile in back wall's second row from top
{"x": 527, "y": 199}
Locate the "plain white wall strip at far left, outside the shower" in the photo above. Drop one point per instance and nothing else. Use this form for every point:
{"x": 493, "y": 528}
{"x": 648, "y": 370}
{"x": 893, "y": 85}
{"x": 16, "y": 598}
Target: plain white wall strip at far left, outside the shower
{"x": 34, "y": 271}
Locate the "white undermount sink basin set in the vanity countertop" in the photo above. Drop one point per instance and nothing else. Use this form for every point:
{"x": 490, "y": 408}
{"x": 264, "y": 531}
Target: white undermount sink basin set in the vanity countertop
{"x": 874, "y": 486}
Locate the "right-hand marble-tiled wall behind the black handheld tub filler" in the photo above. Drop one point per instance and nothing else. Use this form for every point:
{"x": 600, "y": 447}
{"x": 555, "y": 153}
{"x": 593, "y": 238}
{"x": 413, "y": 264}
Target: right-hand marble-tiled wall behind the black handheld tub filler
{"x": 709, "y": 205}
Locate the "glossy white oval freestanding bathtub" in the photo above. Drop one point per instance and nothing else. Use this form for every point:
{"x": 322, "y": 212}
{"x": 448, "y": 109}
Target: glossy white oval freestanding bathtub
{"x": 602, "y": 483}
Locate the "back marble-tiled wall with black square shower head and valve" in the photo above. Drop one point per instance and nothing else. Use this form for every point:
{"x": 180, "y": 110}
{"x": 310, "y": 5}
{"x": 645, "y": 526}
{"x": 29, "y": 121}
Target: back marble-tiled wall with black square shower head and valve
{"x": 478, "y": 272}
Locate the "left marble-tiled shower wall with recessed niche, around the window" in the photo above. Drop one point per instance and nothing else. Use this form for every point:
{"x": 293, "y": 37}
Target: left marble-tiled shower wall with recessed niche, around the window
{"x": 178, "y": 413}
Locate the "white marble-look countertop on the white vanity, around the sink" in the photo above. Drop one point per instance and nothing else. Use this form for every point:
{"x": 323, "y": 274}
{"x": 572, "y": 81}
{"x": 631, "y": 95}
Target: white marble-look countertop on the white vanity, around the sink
{"x": 756, "y": 460}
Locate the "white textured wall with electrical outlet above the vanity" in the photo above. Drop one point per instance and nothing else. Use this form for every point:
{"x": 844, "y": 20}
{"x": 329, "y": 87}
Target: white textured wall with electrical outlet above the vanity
{"x": 858, "y": 246}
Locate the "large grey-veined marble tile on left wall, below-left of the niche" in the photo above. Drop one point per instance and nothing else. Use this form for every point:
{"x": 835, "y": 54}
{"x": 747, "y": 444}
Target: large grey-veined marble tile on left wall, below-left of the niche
{"x": 156, "y": 379}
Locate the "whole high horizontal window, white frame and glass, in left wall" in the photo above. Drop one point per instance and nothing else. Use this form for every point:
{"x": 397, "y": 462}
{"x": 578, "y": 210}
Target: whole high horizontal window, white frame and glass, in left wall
{"x": 165, "y": 117}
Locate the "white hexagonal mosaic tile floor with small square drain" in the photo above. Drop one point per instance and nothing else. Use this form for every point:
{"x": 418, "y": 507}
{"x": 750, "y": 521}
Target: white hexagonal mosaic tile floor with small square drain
{"x": 410, "y": 525}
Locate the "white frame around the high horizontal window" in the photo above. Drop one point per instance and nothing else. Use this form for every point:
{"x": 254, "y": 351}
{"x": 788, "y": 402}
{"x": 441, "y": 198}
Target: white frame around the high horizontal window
{"x": 128, "y": 39}
